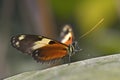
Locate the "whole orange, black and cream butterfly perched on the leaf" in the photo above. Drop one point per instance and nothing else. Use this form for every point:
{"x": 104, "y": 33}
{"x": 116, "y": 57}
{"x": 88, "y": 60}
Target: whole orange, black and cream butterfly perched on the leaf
{"x": 44, "y": 49}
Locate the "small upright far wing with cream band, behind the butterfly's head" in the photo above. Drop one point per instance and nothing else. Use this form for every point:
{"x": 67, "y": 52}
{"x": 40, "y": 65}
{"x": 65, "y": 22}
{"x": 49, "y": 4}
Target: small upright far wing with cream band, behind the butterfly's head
{"x": 67, "y": 35}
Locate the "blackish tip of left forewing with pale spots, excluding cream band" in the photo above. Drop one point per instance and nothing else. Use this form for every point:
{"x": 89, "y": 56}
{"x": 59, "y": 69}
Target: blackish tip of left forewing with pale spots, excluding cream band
{"x": 24, "y": 43}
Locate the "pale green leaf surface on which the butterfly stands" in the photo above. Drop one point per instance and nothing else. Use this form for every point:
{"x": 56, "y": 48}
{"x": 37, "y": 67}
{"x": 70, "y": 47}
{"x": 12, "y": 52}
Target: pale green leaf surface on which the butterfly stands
{"x": 101, "y": 68}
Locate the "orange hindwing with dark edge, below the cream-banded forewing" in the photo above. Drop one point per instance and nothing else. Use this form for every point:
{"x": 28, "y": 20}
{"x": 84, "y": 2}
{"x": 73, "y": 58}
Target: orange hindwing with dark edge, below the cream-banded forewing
{"x": 50, "y": 52}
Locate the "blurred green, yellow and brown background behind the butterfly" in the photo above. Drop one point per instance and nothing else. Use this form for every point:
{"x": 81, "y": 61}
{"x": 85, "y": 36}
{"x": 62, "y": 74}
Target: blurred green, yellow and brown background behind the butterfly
{"x": 47, "y": 18}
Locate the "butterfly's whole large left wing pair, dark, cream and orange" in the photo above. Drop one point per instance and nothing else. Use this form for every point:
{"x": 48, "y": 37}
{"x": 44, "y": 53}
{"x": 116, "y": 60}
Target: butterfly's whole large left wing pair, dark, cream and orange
{"x": 40, "y": 47}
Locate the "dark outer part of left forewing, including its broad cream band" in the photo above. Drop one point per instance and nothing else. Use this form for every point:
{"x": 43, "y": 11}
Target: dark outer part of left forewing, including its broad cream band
{"x": 28, "y": 43}
